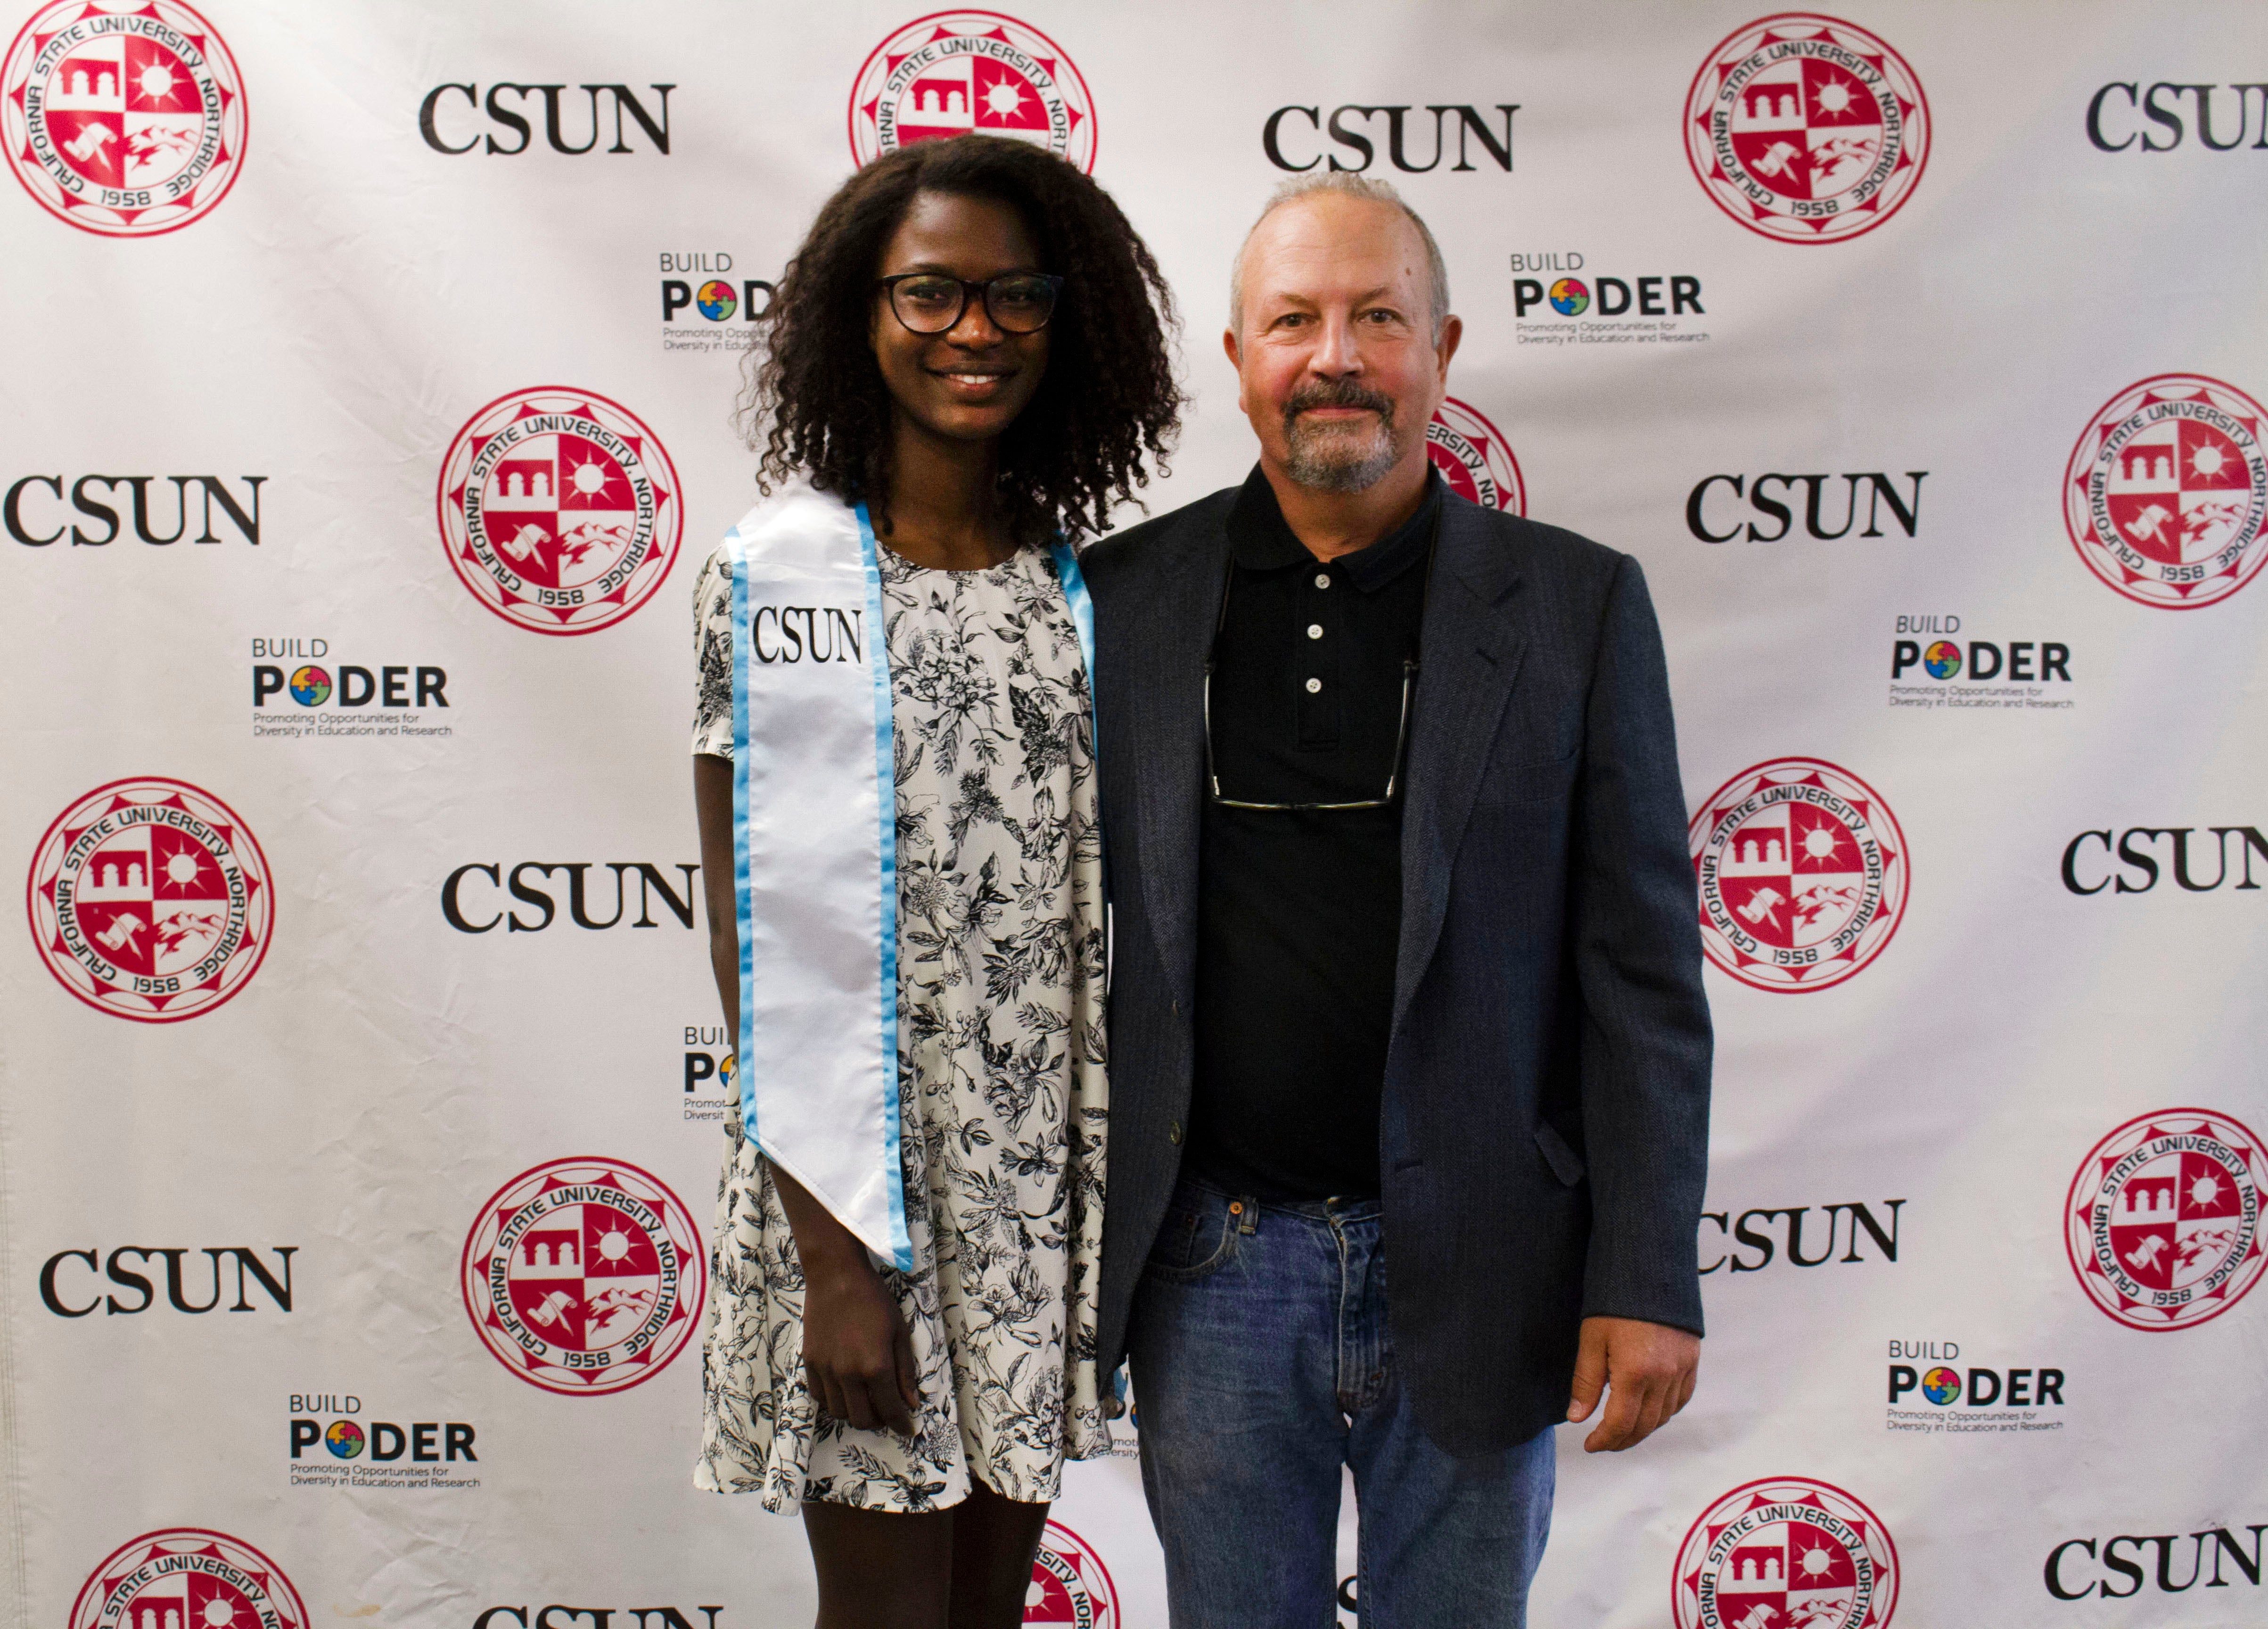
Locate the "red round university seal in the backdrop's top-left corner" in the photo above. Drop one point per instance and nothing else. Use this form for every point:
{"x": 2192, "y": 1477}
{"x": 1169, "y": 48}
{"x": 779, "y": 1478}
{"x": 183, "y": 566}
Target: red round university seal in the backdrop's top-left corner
{"x": 124, "y": 121}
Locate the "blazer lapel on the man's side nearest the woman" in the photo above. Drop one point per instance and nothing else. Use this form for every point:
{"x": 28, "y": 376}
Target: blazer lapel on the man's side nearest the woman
{"x": 1169, "y": 745}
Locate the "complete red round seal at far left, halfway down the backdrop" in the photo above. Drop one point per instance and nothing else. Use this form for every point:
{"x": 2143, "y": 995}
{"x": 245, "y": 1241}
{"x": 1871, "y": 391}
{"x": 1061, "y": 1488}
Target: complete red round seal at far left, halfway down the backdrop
{"x": 151, "y": 900}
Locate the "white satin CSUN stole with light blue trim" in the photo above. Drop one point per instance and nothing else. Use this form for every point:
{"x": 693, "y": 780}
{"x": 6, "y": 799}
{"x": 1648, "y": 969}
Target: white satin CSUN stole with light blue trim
{"x": 815, "y": 854}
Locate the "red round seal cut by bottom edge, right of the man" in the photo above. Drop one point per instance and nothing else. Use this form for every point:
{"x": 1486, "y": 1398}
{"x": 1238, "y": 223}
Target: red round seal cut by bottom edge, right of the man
{"x": 1786, "y": 1553}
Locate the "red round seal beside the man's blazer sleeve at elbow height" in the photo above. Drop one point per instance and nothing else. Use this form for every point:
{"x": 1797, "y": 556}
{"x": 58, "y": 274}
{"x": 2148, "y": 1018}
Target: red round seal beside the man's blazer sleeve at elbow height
{"x": 1802, "y": 875}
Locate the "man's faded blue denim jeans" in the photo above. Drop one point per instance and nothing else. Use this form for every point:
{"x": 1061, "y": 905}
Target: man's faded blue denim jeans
{"x": 1262, "y": 1365}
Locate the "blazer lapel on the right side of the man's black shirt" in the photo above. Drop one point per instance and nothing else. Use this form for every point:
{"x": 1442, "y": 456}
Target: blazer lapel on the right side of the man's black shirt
{"x": 1466, "y": 664}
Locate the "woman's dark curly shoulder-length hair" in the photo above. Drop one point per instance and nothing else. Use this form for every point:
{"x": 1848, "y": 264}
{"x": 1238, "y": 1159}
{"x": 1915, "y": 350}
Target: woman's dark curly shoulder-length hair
{"x": 815, "y": 398}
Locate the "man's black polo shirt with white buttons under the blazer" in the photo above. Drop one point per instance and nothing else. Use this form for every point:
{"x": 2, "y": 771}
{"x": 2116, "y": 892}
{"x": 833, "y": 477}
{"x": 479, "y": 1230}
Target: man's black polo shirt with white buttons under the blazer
{"x": 1301, "y": 913}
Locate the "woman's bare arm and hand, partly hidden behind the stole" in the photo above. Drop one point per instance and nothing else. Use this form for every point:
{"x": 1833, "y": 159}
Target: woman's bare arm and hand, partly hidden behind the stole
{"x": 858, "y": 1356}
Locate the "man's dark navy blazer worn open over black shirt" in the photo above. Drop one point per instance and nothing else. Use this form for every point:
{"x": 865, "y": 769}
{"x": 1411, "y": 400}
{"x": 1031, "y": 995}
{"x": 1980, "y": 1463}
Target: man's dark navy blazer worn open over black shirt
{"x": 1543, "y": 1138}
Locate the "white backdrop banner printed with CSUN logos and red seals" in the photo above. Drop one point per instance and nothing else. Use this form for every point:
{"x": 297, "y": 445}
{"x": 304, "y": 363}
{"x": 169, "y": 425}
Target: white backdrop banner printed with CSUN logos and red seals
{"x": 369, "y": 405}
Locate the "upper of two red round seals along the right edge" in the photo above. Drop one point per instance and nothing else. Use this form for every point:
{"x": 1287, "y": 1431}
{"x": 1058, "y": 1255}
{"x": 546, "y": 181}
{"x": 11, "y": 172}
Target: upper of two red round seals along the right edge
{"x": 2167, "y": 491}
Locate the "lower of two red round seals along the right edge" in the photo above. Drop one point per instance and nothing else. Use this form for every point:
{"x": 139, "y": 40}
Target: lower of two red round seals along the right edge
{"x": 2165, "y": 1215}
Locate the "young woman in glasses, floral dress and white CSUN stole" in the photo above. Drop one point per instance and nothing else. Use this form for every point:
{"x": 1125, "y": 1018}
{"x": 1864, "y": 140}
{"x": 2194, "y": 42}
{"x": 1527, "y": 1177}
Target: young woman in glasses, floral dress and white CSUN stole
{"x": 967, "y": 366}
